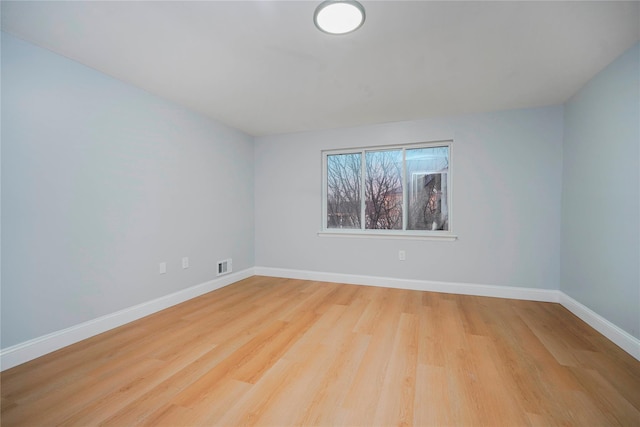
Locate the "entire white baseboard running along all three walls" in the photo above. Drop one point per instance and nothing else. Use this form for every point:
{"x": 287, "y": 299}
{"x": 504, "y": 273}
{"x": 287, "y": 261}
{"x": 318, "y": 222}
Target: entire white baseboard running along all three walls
{"x": 29, "y": 350}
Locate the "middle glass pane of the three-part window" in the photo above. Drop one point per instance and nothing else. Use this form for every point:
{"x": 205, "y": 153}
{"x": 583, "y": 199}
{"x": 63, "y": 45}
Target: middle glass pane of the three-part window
{"x": 383, "y": 190}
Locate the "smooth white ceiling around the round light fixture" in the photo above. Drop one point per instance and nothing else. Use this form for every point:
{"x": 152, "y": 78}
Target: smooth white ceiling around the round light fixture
{"x": 262, "y": 66}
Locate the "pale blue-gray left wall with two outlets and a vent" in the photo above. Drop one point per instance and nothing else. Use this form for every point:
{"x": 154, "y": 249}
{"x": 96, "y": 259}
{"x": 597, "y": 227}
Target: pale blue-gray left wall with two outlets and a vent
{"x": 100, "y": 183}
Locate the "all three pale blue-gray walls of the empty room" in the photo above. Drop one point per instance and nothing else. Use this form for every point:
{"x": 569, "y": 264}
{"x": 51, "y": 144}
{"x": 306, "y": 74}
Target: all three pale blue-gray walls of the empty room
{"x": 102, "y": 181}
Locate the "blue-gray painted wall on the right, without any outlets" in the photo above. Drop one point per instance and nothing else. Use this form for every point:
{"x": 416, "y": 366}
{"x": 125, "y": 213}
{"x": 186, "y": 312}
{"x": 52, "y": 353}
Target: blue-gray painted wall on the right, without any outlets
{"x": 601, "y": 194}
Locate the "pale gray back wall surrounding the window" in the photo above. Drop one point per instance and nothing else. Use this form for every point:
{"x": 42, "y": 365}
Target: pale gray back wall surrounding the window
{"x": 506, "y": 202}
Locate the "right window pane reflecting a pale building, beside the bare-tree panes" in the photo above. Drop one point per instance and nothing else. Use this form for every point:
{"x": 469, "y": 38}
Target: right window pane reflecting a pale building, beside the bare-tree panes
{"x": 427, "y": 171}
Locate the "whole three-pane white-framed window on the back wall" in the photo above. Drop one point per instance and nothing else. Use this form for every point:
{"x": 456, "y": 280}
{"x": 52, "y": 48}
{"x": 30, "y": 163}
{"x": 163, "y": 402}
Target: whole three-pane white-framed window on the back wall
{"x": 401, "y": 190}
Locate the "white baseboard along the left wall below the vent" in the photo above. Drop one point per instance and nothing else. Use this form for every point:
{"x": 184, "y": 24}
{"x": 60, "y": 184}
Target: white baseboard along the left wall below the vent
{"x": 29, "y": 350}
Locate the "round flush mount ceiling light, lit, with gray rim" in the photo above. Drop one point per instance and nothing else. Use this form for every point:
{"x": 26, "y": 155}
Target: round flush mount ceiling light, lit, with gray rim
{"x": 339, "y": 16}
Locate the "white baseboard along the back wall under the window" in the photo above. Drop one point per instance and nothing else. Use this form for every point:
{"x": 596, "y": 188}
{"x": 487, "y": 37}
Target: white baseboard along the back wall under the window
{"x": 530, "y": 294}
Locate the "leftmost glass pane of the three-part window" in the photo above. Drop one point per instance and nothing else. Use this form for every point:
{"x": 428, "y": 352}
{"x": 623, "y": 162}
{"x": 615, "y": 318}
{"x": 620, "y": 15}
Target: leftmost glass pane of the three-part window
{"x": 343, "y": 190}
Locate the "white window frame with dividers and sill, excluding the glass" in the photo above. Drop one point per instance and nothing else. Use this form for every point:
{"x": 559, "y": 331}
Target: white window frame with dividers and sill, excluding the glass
{"x": 381, "y": 233}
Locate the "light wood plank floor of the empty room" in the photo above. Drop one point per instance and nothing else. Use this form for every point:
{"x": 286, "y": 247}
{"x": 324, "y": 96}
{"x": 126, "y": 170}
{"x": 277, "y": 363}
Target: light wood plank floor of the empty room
{"x": 278, "y": 352}
